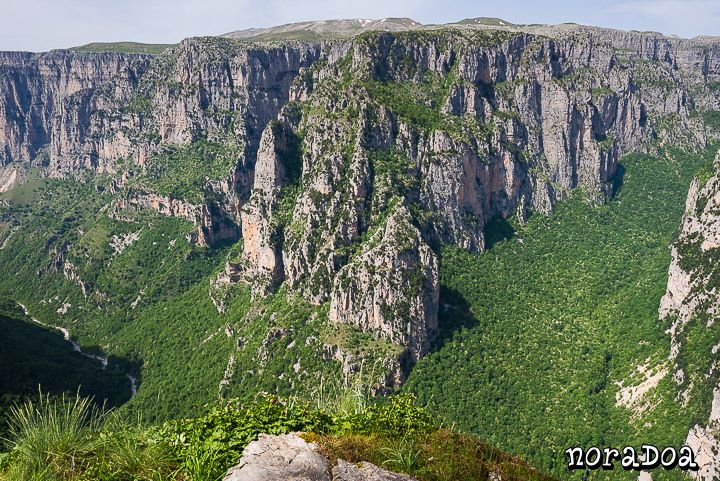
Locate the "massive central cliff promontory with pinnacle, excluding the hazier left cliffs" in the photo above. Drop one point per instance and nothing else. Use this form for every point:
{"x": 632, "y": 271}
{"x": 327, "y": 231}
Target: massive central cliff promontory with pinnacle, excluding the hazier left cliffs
{"x": 462, "y": 129}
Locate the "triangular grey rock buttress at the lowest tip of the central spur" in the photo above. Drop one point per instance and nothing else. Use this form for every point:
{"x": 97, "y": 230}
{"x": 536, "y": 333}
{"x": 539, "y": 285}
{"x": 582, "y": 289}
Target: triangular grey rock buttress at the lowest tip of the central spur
{"x": 392, "y": 287}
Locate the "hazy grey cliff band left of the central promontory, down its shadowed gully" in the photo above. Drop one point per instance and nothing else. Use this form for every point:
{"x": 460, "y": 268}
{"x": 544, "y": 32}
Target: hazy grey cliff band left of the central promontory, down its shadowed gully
{"x": 74, "y": 111}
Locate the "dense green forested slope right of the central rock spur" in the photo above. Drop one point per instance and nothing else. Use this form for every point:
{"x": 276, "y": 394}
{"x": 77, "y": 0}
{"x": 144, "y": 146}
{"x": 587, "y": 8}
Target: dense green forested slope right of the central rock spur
{"x": 538, "y": 330}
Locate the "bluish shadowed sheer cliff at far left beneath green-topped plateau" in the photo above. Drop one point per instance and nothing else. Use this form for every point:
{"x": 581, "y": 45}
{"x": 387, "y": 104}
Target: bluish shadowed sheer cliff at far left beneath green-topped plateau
{"x": 46, "y": 96}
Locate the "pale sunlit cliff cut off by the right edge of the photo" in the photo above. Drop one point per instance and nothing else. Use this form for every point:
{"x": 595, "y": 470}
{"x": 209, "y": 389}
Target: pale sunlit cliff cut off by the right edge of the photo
{"x": 690, "y": 305}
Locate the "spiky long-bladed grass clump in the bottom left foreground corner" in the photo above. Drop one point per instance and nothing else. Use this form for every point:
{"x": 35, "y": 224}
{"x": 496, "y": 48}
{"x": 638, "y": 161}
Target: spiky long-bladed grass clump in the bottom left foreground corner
{"x": 72, "y": 439}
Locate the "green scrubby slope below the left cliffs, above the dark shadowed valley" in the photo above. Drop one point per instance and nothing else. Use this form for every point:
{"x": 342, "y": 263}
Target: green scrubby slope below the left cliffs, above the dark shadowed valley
{"x": 149, "y": 306}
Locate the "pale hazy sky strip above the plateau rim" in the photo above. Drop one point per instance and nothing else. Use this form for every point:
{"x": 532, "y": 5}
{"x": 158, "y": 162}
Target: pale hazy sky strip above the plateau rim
{"x": 46, "y": 24}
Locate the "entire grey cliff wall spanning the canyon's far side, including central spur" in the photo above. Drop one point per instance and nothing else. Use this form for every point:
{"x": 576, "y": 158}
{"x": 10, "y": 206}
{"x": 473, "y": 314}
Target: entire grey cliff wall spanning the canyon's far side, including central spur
{"x": 340, "y": 162}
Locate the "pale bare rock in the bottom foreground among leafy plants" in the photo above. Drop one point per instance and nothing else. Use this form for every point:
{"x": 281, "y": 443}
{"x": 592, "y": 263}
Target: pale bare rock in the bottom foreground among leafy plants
{"x": 290, "y": 458}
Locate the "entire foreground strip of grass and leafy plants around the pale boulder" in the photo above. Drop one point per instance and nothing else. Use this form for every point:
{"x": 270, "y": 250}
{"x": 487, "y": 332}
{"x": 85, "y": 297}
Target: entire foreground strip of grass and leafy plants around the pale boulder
{"x": 70, "y": 439}
